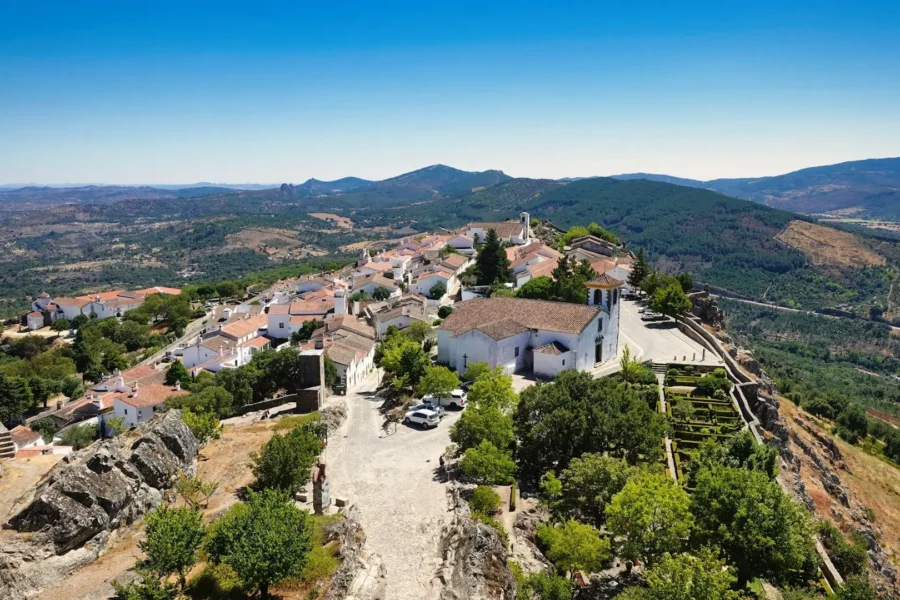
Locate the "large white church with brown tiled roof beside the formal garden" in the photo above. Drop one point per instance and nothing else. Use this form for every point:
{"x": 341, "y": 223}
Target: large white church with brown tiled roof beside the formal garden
{"x": 509, "y": 332}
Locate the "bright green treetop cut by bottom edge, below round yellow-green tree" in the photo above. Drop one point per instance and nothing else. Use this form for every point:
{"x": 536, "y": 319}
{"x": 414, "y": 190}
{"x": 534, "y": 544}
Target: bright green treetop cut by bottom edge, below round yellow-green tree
{"x": 687, "y": 577}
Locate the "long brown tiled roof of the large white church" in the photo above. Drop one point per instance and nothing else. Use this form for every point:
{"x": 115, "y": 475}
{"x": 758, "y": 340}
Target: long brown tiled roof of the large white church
{"x": 531, "y": 314}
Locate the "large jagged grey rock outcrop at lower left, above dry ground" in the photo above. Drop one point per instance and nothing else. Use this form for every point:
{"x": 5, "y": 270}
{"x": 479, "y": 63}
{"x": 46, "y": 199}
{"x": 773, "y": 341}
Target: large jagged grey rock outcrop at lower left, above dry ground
{"x": 89, "y": 494}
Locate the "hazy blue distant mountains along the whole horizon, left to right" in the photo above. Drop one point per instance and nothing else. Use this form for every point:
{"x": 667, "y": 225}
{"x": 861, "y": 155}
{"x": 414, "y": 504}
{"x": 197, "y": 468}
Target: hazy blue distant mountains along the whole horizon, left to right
{"x": 865, "y": 188}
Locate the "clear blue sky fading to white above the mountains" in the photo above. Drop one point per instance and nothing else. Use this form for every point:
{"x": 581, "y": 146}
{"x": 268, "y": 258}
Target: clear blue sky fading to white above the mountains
{"x": 159, "y": 92}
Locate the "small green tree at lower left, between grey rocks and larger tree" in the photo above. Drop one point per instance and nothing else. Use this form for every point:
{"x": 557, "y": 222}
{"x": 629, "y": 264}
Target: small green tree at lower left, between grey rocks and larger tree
{"x": 173, "y": 536}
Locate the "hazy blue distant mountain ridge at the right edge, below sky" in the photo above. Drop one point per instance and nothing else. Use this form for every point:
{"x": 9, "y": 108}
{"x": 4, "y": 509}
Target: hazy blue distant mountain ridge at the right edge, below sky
{"x": 865, "y": 188}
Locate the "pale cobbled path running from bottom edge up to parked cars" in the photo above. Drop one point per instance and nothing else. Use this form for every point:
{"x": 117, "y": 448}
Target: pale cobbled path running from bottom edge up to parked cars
{"x": 393, "y": 482}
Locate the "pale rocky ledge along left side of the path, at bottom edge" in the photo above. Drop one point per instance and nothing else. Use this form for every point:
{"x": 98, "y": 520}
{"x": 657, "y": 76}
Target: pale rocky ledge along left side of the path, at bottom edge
{"x": 361, "y": 575}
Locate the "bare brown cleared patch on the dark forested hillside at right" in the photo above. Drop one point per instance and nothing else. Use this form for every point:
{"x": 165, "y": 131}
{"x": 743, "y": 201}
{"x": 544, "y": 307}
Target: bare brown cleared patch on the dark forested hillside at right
{"x": 825, "y": 246}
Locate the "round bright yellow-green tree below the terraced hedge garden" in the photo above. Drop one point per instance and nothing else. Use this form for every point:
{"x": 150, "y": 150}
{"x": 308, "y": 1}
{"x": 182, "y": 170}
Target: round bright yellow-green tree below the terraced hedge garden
{"x": 651, "y": 515}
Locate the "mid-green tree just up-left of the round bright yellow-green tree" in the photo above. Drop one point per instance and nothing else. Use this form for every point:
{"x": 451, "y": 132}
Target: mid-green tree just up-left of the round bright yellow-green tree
{"x": 588, "y": 484}
